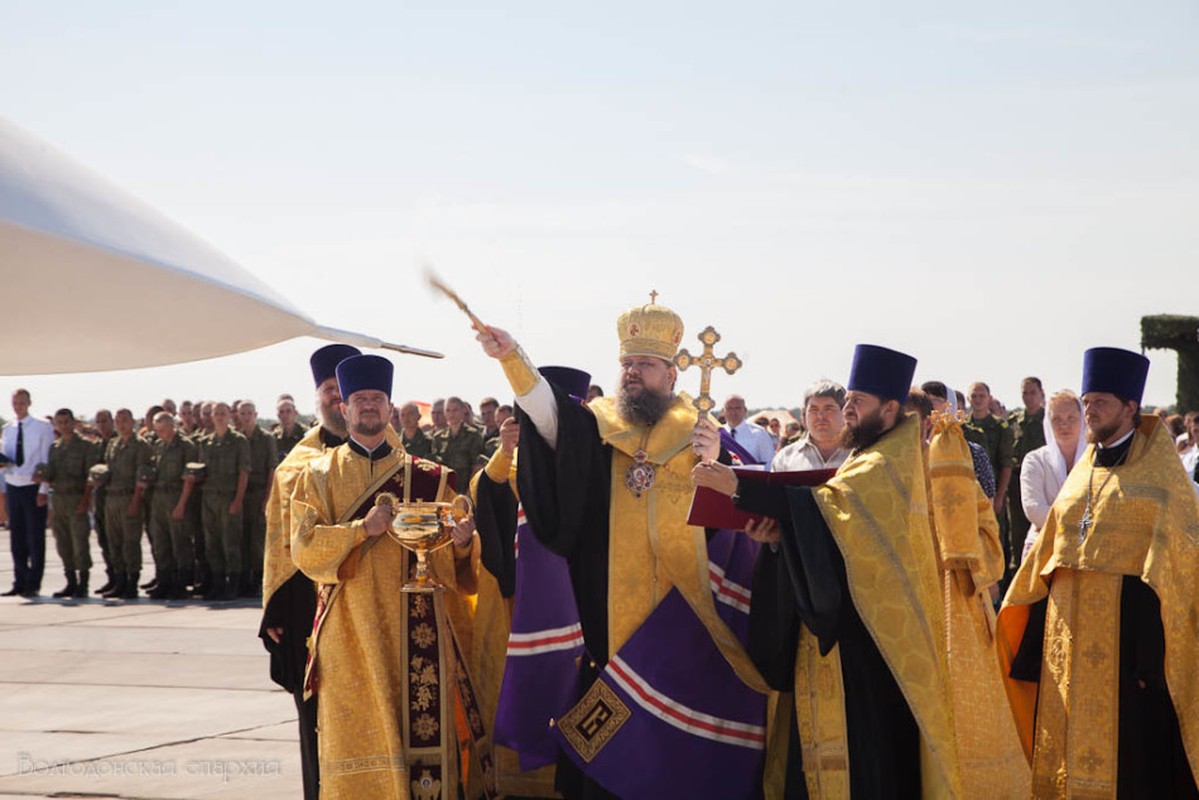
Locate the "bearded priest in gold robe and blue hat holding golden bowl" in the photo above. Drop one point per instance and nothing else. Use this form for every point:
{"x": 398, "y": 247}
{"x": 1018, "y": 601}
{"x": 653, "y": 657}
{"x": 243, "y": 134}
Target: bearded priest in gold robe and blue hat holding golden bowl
{"x": 382, "y": 663}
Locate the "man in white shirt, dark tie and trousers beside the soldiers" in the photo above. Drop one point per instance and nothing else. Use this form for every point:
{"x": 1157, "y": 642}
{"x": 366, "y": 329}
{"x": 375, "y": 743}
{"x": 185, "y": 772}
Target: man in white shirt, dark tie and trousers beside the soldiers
{"x": 26, "y": 443}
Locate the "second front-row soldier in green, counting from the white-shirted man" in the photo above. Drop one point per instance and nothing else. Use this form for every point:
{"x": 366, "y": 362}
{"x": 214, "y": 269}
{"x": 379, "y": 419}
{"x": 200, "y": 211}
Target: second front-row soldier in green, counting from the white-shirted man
{"x": 126, "y": 455}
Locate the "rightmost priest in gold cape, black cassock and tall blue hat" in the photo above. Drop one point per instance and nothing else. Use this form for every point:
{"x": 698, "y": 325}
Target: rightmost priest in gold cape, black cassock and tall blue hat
{"x": 1100, "y": 629}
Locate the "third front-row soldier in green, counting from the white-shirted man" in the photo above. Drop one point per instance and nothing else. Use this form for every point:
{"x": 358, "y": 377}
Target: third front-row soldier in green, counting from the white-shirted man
{"x": 170, "y": 536}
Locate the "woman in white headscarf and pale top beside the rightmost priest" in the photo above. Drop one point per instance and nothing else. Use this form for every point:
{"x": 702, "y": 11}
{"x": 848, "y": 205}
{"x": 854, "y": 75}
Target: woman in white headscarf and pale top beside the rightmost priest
{"x": 1046, "y": 468}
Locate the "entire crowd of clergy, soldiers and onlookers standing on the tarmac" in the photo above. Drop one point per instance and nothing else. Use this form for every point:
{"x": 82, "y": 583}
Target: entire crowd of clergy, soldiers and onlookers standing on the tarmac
{"x": 838, "y": 636}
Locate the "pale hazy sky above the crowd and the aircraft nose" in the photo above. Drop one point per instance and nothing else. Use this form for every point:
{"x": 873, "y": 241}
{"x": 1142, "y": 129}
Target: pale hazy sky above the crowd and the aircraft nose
{"x": 990, "y": 189}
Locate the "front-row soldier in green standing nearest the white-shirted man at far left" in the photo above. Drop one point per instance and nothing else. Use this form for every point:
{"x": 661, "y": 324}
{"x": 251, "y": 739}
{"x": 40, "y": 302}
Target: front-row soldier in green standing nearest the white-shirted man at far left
{"x": 67, "y": 472}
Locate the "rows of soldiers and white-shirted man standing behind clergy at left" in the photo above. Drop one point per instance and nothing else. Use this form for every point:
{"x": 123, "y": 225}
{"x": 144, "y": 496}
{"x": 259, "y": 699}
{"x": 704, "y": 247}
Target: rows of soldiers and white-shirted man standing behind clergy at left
{"x": 192, "y": 478}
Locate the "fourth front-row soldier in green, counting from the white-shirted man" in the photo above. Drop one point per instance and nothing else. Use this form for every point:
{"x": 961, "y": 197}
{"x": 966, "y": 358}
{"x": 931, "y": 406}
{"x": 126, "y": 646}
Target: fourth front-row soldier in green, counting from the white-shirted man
{"x": 226, "y": 455}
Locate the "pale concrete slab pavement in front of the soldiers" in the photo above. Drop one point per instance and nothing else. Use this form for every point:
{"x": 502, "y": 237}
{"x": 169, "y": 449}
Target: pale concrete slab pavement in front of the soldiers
{"x": 138, "y": 699}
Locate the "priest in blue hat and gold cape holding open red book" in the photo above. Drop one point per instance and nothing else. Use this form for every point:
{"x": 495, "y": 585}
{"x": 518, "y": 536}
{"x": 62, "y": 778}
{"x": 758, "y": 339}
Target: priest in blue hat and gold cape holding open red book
{"x": 848, "y": 611}
